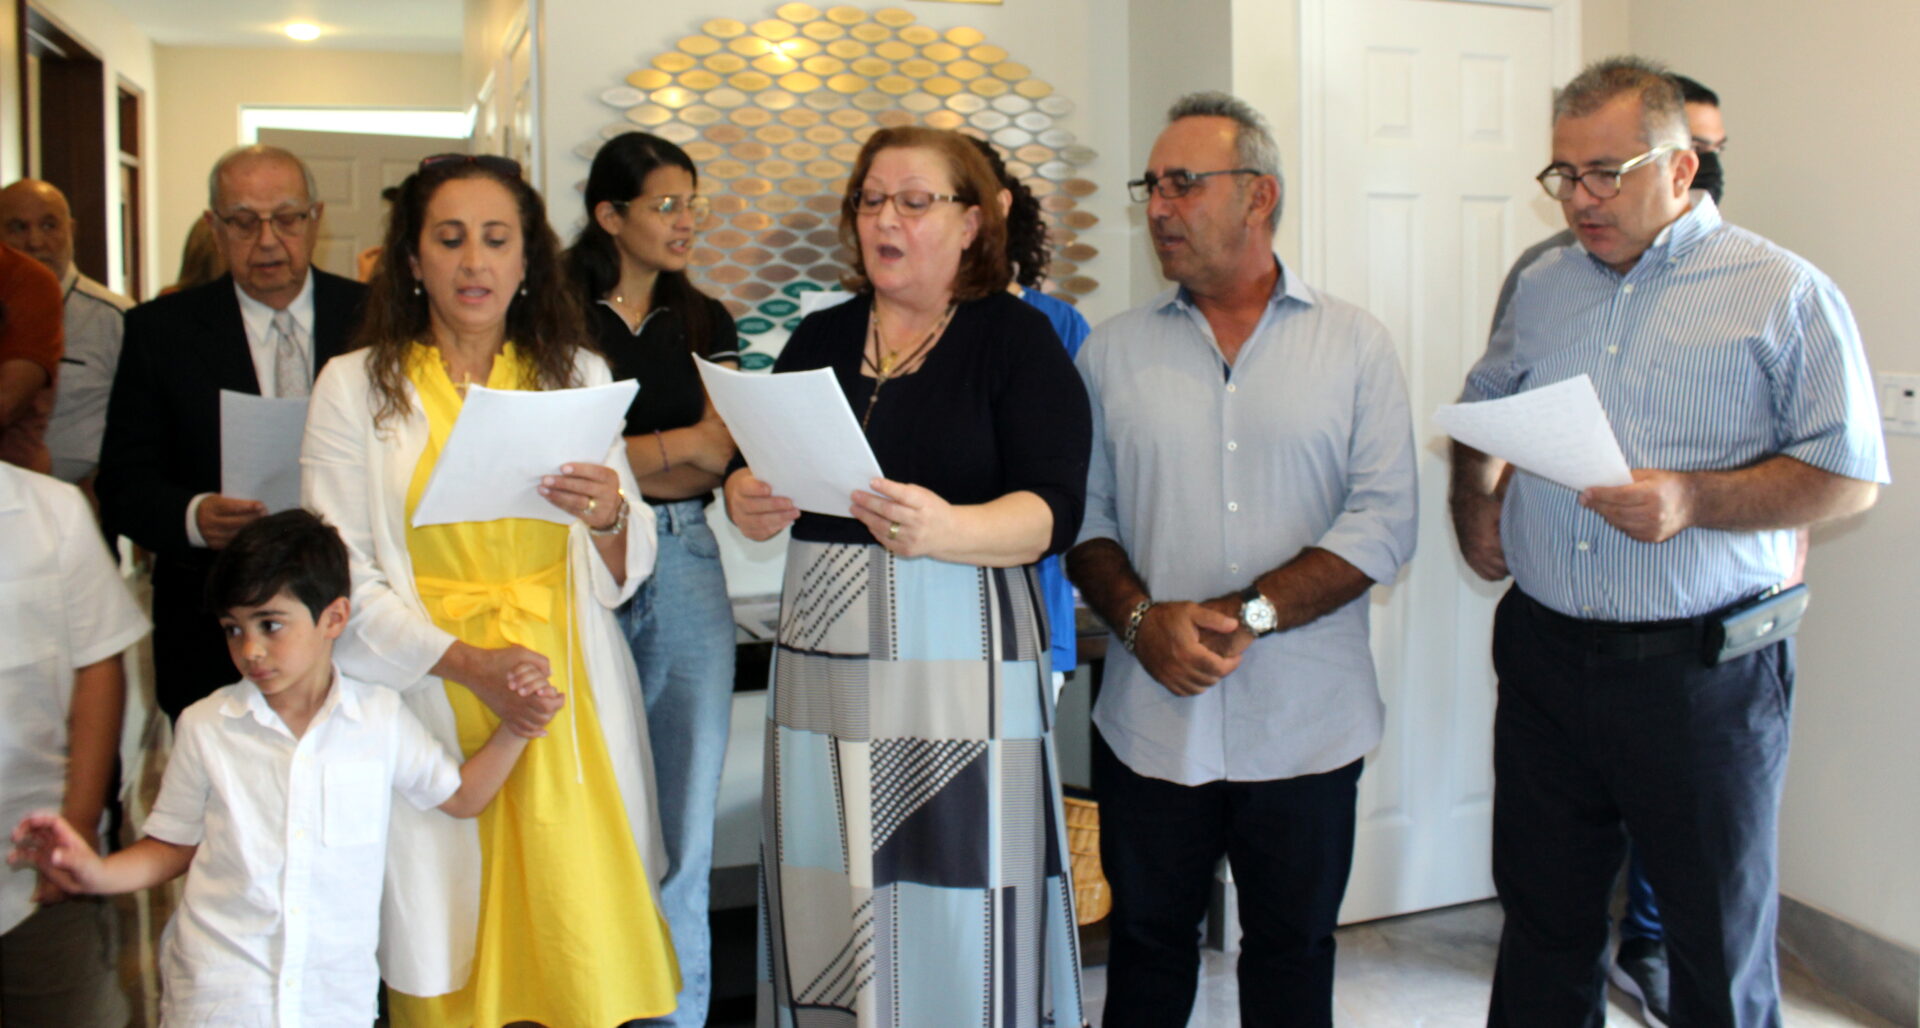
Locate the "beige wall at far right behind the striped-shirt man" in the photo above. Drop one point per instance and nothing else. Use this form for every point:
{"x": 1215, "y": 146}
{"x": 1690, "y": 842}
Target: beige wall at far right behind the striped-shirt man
{"x": 1823, "y": 162}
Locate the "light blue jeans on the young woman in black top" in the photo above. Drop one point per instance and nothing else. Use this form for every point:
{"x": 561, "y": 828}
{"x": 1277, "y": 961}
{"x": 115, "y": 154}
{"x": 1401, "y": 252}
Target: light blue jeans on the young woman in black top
{"x": 681, "y": 627}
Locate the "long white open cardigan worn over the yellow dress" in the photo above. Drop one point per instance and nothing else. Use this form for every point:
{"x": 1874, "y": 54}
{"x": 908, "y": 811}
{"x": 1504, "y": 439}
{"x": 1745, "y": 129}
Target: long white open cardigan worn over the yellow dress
{"x": 358, "y": 477}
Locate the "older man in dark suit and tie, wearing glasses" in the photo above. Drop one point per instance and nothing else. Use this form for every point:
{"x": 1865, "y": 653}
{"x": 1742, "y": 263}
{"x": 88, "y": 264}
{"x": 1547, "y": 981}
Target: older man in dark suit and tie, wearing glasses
{"x": 266, "y": 330}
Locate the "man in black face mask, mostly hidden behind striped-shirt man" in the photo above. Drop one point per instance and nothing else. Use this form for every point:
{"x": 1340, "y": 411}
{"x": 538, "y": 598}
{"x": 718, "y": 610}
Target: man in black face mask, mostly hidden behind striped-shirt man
{"x": 1641, "y": 966}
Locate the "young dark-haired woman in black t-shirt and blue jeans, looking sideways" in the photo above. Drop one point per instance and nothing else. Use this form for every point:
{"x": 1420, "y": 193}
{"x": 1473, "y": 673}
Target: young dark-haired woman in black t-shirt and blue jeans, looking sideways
{"x": 650, "y": 322}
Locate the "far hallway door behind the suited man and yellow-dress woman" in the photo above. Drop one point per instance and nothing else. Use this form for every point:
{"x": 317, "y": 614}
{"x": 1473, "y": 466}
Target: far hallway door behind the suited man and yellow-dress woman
{"x": 350, "y": 170}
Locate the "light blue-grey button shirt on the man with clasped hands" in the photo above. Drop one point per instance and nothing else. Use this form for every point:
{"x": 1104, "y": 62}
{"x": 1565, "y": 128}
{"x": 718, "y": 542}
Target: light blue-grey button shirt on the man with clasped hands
{"x": 1211, "y": 477}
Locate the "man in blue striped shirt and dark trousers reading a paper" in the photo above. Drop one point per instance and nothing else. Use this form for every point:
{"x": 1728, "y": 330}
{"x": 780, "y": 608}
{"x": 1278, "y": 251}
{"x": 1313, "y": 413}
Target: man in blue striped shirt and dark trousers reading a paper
{"x": 1739, "y": 387}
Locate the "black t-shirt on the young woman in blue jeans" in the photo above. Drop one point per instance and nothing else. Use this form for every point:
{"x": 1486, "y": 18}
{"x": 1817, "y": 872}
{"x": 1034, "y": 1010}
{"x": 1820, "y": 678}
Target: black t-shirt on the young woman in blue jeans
{"x": 658, "y": 356}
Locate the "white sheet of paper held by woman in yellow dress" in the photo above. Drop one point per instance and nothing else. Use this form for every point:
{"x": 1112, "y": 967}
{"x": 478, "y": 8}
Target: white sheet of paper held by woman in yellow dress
{"x": 506, "y": 441}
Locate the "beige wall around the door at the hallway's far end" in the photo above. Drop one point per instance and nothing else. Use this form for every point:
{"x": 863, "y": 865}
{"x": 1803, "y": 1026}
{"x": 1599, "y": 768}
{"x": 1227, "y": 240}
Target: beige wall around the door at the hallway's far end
{"x": 203, "y": 89}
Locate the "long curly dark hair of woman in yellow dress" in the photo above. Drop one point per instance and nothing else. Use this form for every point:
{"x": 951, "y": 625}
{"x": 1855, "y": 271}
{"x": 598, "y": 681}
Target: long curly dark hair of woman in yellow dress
{"x": 546, "y": 322}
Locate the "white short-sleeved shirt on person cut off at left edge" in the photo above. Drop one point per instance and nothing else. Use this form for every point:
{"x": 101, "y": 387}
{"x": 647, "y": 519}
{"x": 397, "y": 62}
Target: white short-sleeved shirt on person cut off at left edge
{"x": 62, "y": 608}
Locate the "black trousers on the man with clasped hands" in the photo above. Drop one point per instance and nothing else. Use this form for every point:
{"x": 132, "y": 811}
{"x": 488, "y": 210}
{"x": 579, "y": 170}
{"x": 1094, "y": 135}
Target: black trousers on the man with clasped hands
{"x": 1291, "y": 848}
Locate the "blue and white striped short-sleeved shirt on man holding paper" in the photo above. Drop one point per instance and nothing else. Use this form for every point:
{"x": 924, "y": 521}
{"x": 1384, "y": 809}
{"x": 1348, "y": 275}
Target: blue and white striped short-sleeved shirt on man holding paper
{"x": 1717, "y": 351}
